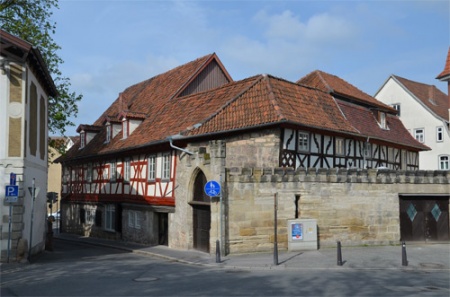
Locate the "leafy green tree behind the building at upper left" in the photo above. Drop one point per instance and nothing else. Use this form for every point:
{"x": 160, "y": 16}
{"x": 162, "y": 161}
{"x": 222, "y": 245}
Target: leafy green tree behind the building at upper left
{"x": 31, "y": 21}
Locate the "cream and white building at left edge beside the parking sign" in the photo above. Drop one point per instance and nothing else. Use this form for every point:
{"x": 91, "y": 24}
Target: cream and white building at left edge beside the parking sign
{"x": 25, "y": 86}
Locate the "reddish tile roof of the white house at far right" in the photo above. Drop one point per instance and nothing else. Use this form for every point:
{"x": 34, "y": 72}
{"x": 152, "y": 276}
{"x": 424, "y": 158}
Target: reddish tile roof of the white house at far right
{"x": 429, "y": 95}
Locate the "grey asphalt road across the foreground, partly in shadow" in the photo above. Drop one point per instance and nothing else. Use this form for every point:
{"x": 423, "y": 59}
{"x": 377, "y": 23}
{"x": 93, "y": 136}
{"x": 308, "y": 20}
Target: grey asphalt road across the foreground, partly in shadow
{"x": 75, "y": 269}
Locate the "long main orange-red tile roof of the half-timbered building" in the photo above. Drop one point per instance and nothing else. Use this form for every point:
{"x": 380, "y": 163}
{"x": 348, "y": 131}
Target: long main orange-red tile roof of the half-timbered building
{"x": 247, "y": 104}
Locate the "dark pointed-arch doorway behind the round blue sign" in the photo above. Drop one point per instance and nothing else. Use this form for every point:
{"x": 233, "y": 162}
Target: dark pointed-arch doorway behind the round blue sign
{"x": 201, "y": 214}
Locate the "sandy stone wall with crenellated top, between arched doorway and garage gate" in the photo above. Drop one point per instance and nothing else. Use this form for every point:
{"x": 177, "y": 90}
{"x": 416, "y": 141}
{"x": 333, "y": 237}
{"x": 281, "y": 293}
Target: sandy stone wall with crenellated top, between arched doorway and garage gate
{"x": 355, "y": 207}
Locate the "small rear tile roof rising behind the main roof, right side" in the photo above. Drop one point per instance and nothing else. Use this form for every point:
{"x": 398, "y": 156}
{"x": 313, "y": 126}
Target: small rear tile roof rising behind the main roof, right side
{"x": 339, "y": 87}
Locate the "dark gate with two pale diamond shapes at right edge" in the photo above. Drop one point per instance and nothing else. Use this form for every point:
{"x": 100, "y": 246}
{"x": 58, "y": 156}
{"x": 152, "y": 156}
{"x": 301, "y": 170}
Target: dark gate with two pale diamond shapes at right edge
{"x": 424, "y": 218}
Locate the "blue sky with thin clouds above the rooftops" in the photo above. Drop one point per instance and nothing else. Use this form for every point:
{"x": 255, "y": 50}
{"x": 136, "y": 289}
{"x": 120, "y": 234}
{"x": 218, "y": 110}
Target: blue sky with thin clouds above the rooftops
{"x": 108, "y": 46}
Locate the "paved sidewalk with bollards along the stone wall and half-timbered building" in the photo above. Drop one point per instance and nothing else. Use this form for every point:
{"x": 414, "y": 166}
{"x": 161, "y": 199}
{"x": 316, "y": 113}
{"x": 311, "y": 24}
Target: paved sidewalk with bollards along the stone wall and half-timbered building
{"x": 420, "y": 256}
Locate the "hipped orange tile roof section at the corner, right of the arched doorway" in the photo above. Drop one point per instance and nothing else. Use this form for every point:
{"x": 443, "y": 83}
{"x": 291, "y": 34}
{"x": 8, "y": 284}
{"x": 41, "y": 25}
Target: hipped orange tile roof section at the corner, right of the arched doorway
{"x": 270, "y": 100}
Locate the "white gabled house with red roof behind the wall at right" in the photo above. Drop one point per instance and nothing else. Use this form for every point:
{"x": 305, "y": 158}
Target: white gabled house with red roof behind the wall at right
{"x": 425, "y": 112}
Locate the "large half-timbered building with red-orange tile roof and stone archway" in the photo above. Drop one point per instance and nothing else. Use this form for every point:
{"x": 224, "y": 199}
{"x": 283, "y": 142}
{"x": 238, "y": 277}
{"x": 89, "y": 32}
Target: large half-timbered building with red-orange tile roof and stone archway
{"x": 138, "y": 172}
